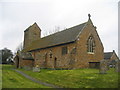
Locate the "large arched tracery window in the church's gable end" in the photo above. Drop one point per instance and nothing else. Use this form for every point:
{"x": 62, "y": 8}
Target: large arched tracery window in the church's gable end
{"x": 91, "y": 45}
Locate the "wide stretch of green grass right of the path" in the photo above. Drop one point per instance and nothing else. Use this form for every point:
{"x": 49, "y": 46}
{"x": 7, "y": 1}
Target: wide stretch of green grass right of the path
{"x": 79, "y": 78}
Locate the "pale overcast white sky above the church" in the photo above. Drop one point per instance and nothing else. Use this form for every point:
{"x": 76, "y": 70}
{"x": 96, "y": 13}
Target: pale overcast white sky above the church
{"x": 17, "y": 15}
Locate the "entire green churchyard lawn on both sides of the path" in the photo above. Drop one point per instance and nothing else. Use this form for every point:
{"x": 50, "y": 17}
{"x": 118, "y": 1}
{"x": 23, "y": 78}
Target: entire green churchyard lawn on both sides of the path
{"x": 79, "y": 78}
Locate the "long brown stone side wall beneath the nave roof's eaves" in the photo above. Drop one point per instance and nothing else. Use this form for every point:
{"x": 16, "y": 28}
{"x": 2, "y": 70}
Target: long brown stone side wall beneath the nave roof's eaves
{"x": 53, "y": 58}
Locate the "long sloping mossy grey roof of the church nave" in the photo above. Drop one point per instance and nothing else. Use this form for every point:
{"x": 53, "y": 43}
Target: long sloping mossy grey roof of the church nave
{"x": 62, "y": 37}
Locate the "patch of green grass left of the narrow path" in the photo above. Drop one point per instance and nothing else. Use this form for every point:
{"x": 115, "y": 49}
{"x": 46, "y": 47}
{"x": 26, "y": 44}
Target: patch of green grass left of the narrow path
{"x": 12, "y": 79}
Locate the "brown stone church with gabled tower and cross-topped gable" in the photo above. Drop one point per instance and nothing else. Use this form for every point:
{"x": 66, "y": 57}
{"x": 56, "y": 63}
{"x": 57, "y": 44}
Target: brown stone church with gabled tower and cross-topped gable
{"x": 76, "y": 47}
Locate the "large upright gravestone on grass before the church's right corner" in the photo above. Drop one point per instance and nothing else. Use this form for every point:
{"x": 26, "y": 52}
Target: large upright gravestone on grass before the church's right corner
{"x": 103, "y": 67}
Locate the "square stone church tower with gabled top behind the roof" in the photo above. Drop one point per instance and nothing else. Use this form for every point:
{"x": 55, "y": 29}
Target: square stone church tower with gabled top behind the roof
{"x": 31, "y": 34}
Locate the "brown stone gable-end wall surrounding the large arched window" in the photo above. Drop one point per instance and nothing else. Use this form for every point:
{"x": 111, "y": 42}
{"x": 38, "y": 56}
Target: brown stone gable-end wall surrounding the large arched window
{"x": 83, "y": 57}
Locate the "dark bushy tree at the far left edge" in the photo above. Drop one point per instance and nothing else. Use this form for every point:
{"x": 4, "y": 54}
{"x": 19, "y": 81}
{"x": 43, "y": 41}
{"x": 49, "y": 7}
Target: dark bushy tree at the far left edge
{"x": 6, "y": 55}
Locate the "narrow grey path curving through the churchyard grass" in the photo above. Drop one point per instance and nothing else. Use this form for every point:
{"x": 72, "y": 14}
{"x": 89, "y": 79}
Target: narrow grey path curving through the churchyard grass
{"x": 35, "y": 80}
